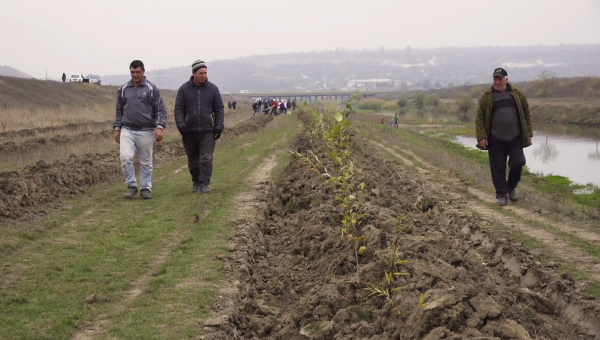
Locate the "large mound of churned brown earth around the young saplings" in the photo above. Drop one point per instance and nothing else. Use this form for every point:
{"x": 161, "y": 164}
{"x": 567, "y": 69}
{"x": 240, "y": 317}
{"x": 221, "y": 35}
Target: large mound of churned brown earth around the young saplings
{"x": 297, "y": 278}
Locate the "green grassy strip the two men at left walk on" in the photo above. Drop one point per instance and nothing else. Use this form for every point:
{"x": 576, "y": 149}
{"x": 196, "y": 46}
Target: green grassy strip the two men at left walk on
{"x": 165, "y": 247}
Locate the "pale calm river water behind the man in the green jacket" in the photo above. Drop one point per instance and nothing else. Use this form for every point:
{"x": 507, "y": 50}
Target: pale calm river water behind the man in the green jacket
{"x": 568, "y": 151}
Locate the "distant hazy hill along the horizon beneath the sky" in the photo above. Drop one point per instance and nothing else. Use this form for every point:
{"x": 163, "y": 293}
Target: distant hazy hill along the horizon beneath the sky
{"x": 411, "y": 68}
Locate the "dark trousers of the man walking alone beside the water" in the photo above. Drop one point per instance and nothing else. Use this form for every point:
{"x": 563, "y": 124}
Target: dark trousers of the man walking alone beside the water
{"x": 498, "y": 152}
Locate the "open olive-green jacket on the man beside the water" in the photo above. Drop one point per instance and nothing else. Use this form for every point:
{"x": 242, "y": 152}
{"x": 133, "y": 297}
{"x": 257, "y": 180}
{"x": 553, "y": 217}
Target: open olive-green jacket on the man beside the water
{"x": 483, "y": 120}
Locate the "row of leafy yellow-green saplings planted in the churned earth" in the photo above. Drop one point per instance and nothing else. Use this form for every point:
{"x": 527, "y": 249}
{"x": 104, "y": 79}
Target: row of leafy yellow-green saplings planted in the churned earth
{"x": 333, "y": 132}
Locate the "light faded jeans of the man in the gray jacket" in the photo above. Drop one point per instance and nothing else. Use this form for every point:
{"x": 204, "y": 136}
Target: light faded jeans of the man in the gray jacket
{"x": 143, "y": 143}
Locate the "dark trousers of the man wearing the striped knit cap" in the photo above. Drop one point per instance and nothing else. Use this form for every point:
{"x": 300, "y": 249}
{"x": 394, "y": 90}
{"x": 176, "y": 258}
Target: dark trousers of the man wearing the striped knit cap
{"x": 199, "y": 148}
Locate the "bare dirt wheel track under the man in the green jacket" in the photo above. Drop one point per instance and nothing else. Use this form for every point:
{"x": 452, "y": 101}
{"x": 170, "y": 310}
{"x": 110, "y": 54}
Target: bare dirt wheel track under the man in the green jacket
{"x": 573, "y": 255}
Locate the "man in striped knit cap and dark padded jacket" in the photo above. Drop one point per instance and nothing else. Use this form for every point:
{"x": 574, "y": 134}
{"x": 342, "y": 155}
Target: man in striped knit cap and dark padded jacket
{"x": 200, "y": 118}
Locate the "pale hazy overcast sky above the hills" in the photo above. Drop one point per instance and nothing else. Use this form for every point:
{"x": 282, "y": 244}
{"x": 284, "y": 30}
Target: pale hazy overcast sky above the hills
{"x": 103, "y": 36}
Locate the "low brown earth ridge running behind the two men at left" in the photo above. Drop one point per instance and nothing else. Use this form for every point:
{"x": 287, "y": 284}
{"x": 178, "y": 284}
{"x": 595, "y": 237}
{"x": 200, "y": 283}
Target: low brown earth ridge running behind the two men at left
{"x": 22, "y": 193}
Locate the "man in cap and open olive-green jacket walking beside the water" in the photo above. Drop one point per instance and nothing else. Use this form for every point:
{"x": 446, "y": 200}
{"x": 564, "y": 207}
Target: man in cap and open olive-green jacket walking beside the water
{"x": 503, "y": 127}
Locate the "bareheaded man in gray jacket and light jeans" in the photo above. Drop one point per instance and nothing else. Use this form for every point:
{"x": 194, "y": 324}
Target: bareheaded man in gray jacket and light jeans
{"x": 140, "y": 120}
